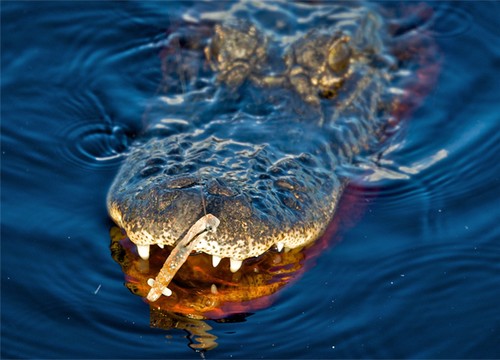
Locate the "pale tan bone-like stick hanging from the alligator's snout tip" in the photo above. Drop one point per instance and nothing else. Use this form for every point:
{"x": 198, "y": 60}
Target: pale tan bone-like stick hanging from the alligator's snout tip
{"x": 179, "y": 255}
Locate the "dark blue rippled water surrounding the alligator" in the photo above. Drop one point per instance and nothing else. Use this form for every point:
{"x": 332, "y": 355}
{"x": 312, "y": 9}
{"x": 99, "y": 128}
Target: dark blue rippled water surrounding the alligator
{"x": 416, "y": 276}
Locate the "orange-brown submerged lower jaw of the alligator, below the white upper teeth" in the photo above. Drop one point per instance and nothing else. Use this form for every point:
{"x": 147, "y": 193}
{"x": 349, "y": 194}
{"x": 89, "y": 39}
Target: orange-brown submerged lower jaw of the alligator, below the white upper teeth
{"x": 201, "y": 291}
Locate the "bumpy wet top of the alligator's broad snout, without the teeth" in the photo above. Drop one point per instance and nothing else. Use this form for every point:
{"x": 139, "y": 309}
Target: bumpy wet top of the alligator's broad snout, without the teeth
{"x": 294, "y": 210}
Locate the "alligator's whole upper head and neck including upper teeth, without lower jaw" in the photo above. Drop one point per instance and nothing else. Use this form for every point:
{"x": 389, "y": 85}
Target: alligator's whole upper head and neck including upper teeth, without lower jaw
{"x": 256, "y": 129}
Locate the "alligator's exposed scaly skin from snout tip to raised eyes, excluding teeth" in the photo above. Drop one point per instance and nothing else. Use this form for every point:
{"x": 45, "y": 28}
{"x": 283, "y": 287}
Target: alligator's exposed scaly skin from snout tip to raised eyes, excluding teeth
{"x": 271, "y": 188}
